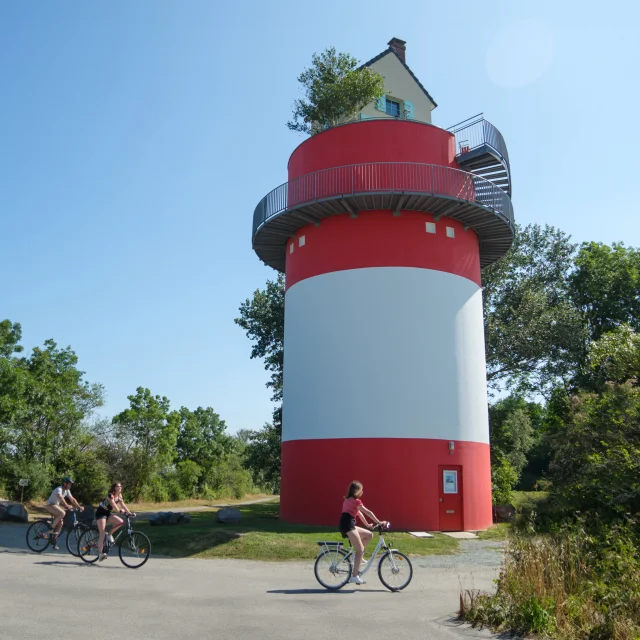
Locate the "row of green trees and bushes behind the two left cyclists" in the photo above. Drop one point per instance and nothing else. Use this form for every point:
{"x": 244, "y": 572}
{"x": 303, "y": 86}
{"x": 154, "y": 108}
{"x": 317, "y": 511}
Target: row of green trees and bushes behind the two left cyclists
{"x": 47, "y": 431}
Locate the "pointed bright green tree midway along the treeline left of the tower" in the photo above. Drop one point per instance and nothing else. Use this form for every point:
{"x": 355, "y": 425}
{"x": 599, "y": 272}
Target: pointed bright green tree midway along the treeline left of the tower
{"x": 148, "y": 429}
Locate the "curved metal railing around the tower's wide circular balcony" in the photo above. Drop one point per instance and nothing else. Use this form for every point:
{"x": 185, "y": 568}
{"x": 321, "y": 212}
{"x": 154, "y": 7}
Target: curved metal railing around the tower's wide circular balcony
{"x": 383, "y": 177}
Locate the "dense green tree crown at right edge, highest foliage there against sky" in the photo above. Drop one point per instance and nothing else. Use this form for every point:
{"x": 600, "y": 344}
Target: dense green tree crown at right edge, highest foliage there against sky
{"x": 605, "y": 286}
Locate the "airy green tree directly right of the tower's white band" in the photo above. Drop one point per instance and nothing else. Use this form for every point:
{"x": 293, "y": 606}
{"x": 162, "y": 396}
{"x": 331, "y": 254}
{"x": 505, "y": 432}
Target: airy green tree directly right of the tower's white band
{"x": 534, "y": 334}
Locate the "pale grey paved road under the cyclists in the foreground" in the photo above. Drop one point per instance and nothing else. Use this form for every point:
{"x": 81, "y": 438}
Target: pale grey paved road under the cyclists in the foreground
{"x": 221, "y": 598}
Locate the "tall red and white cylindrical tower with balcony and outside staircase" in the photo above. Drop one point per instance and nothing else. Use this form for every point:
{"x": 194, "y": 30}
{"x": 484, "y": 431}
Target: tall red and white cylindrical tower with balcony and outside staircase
{"x": 382, "y": 231}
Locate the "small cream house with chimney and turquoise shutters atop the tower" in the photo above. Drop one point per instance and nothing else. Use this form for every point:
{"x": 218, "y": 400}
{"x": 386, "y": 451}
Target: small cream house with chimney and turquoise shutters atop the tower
{"x": 404, "y": 95}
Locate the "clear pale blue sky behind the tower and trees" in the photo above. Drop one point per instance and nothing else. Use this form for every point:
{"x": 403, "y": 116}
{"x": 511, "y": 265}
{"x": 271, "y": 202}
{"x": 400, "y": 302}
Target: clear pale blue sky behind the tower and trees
{"x": 136, "y": 139}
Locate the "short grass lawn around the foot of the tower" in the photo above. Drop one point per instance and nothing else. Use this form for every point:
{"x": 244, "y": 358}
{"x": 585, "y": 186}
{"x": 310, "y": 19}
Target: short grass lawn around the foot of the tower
{"x": 263, "y": 536}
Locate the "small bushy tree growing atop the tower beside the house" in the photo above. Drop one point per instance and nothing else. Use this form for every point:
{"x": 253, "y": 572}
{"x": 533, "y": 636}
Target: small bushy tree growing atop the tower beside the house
{"x": 336, "y": 90}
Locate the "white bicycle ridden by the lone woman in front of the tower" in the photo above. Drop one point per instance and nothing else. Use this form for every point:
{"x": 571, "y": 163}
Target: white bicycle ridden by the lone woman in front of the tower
{"x": 333, "y": 562}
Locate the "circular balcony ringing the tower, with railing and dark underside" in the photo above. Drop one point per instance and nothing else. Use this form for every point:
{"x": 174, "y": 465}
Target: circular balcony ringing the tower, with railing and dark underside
{"x": 476, "y": 202}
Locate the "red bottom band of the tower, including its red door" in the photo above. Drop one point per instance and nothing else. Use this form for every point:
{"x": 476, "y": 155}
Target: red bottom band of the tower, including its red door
{"x": 416, "y": 484}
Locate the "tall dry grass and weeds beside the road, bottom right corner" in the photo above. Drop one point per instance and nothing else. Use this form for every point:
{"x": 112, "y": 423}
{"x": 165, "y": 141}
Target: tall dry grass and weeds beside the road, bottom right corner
{"x": 571, "y": 584}
